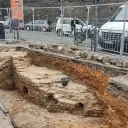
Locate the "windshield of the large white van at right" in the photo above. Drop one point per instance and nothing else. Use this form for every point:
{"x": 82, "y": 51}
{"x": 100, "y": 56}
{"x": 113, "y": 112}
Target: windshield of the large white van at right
{"x": 119, "y": 15}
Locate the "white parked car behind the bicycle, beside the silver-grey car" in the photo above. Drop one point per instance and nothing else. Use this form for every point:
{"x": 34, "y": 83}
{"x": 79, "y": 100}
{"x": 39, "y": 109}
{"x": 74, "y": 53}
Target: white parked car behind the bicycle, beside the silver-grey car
{"x": 67, "y": 27}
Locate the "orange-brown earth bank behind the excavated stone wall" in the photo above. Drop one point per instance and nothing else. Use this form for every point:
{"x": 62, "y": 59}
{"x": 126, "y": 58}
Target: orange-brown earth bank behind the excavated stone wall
{"x": 116, "y": 111}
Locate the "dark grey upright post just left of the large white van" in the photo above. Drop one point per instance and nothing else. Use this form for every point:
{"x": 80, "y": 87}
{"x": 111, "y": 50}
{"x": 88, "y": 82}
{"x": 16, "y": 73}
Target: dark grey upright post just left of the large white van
{"x": 95, "y": 36}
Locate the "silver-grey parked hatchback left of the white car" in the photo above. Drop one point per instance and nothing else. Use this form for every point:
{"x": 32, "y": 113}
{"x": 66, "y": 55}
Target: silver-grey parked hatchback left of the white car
{"x": 39, "y": 25}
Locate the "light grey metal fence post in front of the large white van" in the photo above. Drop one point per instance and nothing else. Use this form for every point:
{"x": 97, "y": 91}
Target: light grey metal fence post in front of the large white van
{"x": 123, "y": 34}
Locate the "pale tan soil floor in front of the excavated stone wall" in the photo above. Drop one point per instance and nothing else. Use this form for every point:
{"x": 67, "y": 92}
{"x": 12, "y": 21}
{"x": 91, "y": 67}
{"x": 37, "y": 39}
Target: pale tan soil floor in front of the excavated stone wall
{"x": 29, "y": 115}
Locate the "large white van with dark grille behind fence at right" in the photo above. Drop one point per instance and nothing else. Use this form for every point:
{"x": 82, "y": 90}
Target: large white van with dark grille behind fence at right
{"x": 111, "y": 32}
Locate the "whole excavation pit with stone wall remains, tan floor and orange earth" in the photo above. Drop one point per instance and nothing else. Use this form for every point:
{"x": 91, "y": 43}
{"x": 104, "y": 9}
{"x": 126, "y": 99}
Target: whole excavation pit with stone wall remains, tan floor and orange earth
{"x": 36, "y": 78}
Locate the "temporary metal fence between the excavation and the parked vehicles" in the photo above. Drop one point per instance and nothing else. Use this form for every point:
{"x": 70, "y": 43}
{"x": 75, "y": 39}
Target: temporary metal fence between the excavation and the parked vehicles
{"x": 54, "y": 25}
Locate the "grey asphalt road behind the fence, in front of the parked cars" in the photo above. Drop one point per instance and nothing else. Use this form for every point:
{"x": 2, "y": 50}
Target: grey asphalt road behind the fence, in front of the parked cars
{"x": 49, "y": 37}
